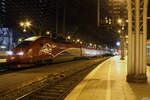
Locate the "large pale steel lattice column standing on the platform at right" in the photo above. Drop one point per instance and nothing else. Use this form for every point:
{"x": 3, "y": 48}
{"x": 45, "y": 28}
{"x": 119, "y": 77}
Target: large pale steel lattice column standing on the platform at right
{"x": 137, "y": 34}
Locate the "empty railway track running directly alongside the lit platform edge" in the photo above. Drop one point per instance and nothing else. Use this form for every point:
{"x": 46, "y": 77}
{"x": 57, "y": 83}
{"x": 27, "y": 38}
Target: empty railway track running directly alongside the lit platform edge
{"x": 60, "y": 89}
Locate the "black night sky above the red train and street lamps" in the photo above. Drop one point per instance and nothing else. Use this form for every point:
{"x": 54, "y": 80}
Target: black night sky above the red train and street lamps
{"x": 81, "y": 18}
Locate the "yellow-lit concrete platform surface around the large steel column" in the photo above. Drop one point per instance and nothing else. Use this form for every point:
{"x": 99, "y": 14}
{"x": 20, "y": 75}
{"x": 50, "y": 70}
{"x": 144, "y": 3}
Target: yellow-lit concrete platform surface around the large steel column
{"x": 108, "y": 82}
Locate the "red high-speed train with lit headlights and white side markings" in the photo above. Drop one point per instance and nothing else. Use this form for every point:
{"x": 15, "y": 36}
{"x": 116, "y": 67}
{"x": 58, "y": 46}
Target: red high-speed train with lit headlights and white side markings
{"x": 39, "y": 50}
